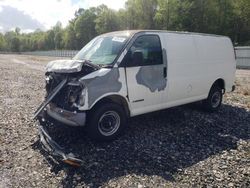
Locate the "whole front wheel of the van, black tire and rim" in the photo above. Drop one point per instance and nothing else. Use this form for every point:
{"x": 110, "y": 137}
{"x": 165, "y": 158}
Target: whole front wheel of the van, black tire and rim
{"x": 106, "y": 122}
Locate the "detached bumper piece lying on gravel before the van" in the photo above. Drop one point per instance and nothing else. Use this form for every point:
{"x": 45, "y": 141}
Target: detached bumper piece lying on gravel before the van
{"x": 54, "y": 149}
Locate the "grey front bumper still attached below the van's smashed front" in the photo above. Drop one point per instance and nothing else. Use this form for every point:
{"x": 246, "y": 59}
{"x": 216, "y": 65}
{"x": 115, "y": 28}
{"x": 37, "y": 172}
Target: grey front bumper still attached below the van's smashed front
{"x": 66, "y": 117}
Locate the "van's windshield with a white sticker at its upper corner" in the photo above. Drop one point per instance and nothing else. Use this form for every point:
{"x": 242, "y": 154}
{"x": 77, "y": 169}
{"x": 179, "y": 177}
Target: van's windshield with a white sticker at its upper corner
{"x": 102, "y": 50}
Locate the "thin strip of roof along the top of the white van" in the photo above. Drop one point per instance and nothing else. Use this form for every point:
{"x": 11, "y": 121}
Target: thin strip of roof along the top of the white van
{"x": 131, "y": 32}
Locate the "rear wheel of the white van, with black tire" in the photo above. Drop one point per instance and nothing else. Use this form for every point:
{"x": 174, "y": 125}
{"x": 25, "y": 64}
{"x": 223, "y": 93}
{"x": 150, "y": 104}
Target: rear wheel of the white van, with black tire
{"x": 214, "y": 99}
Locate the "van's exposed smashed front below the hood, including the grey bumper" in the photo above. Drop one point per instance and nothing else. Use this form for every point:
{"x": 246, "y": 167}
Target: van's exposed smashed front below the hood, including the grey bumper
{"x": 63, "y": 107}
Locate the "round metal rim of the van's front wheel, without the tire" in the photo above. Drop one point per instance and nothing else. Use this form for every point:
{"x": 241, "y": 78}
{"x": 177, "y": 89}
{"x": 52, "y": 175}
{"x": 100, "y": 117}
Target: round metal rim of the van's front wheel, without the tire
{"x": 109, "y": 123}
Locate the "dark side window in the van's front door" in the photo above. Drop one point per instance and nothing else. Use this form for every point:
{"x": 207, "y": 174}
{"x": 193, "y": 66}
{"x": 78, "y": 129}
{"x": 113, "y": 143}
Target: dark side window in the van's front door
{"x": 146, "y": 50}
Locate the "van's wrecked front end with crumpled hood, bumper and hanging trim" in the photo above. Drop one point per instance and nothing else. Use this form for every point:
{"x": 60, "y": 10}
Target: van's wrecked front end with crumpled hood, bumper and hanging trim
{"x": 64, "y": 95}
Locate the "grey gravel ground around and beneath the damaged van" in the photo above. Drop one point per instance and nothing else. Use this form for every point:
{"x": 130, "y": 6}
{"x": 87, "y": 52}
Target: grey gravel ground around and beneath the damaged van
{"x": 178, "y": 147}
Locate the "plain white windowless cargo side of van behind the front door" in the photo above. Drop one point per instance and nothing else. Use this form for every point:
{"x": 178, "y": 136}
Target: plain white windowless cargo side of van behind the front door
{"x": 194, "y": 63}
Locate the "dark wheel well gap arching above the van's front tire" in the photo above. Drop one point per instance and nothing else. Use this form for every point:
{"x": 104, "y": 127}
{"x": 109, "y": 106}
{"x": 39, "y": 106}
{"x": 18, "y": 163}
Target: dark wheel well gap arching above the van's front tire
{"x": 115, "y": 99}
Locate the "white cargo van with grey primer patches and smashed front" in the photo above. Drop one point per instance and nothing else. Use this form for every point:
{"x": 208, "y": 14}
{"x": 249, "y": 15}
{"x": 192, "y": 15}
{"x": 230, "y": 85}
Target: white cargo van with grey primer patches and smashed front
{"x": 123, "y": 74}
